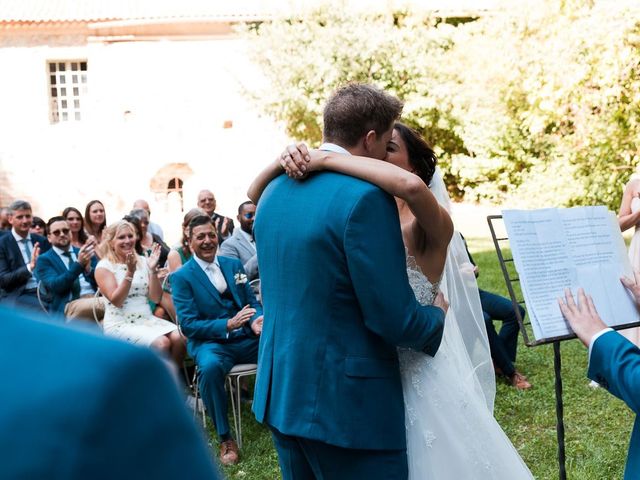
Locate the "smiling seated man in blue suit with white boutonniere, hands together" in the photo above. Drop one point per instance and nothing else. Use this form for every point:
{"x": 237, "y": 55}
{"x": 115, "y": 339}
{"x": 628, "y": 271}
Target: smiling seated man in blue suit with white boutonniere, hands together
{"x": 221, "y": 319}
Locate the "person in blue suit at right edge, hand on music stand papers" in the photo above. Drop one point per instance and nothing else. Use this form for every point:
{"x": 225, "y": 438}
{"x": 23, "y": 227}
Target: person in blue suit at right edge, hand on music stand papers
{"x": 614, "y": 361}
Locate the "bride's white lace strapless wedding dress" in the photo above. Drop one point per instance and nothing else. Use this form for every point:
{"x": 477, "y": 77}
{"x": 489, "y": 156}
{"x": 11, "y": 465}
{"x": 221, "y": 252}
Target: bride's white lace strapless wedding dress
{"x": 451, "y": 432}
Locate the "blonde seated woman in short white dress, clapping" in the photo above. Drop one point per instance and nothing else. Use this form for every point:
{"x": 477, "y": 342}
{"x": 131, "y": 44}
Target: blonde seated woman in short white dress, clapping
{"x": 128, "y": 281}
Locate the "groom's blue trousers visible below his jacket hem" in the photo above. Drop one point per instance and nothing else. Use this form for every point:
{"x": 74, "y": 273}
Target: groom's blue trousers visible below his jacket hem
{"x": 304, "y": 459}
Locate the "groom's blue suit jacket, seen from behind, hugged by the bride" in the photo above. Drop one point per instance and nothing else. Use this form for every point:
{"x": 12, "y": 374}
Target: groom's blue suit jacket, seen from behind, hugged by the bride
{"x": 337, "y": 302}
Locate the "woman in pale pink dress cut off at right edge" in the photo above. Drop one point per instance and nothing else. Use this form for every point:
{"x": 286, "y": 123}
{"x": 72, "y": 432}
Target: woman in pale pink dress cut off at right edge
{"x": 629, "y": 216}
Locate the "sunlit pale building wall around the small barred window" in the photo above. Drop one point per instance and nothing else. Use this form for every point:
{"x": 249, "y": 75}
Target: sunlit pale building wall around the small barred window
{"x": 178, "y": 93}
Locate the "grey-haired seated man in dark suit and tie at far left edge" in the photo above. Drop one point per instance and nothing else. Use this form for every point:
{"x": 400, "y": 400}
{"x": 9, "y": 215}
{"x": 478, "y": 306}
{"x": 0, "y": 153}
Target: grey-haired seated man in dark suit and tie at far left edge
{"x": 19, "y": 252}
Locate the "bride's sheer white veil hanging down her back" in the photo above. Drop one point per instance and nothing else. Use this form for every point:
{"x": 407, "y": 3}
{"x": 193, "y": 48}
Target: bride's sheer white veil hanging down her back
{"x": 461, "y": 290}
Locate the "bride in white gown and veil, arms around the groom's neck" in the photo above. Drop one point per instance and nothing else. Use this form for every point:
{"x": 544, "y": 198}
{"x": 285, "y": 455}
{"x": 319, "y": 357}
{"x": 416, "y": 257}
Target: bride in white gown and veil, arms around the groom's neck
{"x": 451, "y": 432}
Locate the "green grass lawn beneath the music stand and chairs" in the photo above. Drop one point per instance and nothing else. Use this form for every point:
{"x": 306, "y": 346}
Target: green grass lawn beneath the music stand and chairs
{"x": 597, "y": 425}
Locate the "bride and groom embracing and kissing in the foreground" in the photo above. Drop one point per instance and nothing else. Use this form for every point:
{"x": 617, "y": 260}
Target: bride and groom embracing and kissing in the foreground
{"x": 360, "y": 376}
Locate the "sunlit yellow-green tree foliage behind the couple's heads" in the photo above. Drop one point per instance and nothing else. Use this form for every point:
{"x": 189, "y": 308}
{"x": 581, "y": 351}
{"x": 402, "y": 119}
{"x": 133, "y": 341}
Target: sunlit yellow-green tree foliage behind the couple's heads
{"x": 535, "y": 107}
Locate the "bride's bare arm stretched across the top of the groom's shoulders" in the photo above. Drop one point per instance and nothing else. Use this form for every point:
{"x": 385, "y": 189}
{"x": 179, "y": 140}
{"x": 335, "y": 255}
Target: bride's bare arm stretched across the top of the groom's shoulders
{"x": 433, "y": 219}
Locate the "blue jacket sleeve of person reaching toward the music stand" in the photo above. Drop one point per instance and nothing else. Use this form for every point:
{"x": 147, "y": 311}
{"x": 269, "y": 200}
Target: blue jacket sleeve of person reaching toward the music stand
{"x": 615, "y": 364}
